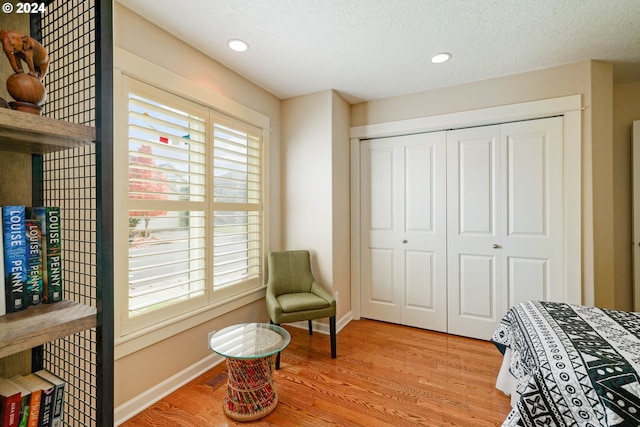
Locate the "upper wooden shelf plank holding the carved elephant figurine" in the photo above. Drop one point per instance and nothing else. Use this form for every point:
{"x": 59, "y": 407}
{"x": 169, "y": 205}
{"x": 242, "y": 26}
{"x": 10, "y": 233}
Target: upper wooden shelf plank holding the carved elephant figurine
{"x": 30, "y": 133}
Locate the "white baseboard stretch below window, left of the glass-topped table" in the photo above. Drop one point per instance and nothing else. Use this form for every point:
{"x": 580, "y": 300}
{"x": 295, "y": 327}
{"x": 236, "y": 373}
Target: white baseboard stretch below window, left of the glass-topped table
{"x": 139, "y": 403}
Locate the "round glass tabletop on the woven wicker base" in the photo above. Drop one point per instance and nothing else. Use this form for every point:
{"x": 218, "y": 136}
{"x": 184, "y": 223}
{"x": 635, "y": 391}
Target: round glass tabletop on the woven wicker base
{"x": 249, "y": 340}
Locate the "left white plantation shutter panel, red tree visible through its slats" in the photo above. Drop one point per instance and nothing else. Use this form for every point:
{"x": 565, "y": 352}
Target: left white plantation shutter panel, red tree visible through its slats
{"x": 167, "y": 176}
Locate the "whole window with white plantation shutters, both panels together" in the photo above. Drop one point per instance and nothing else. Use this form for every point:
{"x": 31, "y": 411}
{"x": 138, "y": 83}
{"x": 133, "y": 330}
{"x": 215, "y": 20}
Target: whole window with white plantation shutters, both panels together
{"x": 195, "y": 214}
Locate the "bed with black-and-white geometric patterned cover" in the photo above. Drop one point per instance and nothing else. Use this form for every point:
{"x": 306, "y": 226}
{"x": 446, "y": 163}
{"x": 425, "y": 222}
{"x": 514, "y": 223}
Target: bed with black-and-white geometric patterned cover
{"x": 569, "y": 365}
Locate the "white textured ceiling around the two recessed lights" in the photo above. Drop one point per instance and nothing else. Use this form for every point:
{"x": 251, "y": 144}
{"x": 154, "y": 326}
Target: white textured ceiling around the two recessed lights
{"x": 372, "y": 49}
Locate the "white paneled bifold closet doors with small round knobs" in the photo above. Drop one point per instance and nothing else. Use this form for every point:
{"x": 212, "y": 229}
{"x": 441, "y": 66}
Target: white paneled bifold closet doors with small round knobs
{"x": 456, "y": 226}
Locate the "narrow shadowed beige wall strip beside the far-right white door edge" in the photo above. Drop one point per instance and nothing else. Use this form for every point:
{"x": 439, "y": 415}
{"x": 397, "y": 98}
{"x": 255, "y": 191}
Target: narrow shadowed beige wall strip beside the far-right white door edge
{"x": 626, "y": 109}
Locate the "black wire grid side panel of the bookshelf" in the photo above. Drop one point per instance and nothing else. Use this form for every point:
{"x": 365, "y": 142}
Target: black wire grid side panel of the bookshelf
{"x": 67, "y": 30}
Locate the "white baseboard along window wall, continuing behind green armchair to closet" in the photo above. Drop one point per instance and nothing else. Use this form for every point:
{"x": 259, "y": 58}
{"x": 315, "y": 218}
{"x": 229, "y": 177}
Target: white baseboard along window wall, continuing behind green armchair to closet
{"x": 141, "y": 402}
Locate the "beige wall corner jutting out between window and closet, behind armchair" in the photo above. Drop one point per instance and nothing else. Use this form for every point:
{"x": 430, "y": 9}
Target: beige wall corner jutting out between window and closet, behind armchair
{"x": 315, "y": 186}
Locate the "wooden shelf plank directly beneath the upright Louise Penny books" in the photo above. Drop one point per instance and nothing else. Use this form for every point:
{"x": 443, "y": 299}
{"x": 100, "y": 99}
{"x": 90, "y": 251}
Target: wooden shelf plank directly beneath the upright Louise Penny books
{"x": 43, "y": 323}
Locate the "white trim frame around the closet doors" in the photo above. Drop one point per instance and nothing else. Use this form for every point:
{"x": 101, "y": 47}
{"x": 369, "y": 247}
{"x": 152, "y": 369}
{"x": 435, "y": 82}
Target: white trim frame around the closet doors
{"x": 569, "y": 107}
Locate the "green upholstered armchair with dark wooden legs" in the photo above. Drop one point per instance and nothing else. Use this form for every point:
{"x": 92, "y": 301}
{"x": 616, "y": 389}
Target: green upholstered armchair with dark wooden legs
{"x": 293, "y": 295}
